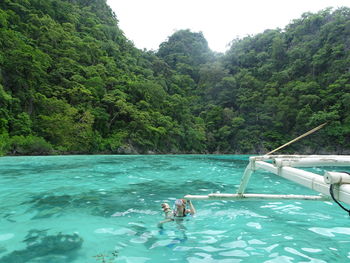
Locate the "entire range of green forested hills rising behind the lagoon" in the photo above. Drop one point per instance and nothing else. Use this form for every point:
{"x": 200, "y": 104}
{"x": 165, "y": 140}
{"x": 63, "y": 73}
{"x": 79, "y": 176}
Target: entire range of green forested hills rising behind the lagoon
{"x": 70, "y": 82}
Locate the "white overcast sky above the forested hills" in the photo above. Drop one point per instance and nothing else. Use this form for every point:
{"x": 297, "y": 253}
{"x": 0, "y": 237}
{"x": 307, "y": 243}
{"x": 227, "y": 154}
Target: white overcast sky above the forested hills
{"x": 150, "y": 22}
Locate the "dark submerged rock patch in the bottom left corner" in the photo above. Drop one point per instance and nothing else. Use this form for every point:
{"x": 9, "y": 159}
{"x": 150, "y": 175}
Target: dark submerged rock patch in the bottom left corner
{"x": 39, "y": 244}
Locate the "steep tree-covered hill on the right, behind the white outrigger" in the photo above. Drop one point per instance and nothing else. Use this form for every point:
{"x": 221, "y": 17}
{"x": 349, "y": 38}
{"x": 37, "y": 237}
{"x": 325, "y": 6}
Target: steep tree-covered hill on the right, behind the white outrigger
{"x": 280, "y": 84}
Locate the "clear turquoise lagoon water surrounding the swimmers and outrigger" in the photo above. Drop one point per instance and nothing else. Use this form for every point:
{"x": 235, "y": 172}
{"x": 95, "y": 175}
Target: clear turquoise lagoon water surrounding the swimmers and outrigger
{"x": 106, "y": 209}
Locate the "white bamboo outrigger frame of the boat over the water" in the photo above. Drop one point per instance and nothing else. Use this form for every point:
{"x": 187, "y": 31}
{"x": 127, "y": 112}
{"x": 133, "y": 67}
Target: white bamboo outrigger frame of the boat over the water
{"x": 328, "y": 184}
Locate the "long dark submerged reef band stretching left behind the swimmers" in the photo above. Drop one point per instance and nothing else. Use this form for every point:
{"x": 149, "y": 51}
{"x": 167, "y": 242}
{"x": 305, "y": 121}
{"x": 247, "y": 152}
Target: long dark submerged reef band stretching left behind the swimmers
{"x": 117, "y": 201}
